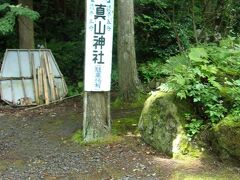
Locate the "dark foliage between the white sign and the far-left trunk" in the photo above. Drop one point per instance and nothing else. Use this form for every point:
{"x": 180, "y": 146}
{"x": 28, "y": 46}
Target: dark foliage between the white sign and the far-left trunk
{"x": 61, "y": 29}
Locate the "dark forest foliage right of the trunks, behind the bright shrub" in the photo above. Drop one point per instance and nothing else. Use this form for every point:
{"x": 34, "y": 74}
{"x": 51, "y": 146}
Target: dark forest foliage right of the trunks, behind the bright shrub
{"x": 164, "y": 28}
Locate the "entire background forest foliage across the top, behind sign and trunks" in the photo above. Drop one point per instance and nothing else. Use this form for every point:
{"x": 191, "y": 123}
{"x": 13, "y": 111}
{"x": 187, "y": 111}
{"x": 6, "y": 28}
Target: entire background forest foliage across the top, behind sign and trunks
{"x": 163, "y": 28}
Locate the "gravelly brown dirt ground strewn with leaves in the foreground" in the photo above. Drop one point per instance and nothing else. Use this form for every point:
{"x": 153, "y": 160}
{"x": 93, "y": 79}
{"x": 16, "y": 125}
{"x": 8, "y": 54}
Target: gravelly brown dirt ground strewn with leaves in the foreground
{"x": 36, "y": 144}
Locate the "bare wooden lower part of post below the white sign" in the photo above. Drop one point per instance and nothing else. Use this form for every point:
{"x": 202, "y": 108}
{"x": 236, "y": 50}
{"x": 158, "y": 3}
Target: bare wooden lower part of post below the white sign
{"x": 96, "y": 124}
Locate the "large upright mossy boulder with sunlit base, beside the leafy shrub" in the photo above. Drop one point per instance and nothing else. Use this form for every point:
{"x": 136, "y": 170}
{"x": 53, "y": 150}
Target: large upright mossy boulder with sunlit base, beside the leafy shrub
{"x": 162, "y": 125}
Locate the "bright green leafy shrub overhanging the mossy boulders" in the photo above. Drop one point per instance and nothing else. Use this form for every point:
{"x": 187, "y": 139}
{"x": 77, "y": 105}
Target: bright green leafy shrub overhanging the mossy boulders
{"x": 209, "y": 75}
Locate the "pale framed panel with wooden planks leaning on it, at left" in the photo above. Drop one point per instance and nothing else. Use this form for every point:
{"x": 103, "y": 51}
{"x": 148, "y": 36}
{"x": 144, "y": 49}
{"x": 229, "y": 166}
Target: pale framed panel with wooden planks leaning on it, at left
{"x": 31, "y": 77}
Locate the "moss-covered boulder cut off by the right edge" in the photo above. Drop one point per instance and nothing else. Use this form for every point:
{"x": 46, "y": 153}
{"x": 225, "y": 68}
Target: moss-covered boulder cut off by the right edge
{"x": 226, "y": 139}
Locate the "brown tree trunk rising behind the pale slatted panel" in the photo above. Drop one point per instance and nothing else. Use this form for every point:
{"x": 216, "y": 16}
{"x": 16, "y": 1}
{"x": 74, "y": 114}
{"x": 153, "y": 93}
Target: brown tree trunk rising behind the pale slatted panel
{"x": 26, "y": 31}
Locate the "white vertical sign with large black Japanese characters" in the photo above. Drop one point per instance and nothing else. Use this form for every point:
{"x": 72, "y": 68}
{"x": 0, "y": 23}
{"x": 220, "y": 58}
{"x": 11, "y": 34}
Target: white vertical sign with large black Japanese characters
{"x": 98, "y": 47}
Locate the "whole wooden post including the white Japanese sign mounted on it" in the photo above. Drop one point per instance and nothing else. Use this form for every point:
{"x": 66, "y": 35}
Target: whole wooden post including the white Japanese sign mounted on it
{"x": 98, "y": 63}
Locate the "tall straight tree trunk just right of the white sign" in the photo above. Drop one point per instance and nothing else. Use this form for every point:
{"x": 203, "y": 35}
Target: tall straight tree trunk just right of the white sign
{"x": 128, "y": 77}
